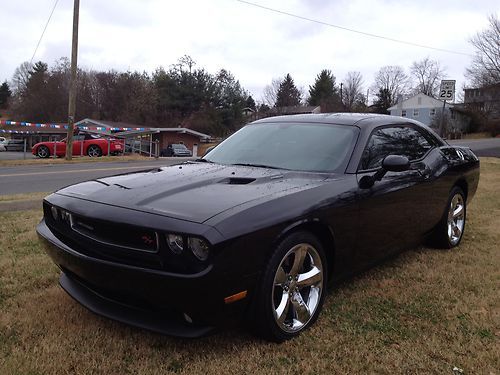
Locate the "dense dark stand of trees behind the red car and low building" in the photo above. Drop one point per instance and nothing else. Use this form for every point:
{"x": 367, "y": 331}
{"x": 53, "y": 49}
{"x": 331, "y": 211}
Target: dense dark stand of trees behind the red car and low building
{"x": 182, "y": 95}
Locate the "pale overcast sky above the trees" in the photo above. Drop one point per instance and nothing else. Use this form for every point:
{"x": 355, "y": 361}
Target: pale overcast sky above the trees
{"x": 253, "y": 43}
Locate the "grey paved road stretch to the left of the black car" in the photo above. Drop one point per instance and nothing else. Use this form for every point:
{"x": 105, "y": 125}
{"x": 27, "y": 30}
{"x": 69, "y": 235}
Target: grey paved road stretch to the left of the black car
{"x": 47, "y": 178}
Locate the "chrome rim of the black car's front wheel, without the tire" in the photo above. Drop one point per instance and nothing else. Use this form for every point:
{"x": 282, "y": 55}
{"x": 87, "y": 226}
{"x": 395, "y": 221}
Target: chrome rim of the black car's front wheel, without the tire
{"x": 298, "y": 285}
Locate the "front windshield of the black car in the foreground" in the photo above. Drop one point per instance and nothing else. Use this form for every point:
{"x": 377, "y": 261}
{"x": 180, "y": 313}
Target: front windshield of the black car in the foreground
{"x": 294, "y": 146}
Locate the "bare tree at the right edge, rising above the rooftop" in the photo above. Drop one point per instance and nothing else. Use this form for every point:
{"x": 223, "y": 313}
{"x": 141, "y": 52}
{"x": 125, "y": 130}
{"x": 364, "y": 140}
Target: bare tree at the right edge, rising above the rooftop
{"x": 485, "y": 67}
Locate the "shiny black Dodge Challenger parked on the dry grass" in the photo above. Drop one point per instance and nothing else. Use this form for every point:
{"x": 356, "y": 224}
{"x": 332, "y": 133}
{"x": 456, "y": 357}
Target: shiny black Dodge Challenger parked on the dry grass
{"x": 259, "y": 226}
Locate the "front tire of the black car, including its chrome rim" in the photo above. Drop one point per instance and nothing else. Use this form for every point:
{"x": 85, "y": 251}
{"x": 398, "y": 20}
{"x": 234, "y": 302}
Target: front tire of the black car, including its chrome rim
{"x": 290, "y": 294}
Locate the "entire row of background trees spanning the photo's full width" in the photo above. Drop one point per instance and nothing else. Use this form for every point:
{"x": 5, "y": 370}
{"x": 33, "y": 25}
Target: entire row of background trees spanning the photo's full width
{"x": 188, "y": 96}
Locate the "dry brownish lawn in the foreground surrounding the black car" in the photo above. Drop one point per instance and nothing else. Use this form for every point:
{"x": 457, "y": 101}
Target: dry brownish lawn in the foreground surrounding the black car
{"x": 426, "y": 311}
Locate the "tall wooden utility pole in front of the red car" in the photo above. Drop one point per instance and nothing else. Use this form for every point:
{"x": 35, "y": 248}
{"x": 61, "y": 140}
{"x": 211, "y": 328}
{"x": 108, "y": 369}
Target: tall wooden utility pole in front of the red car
{"x": 72, "y": 85}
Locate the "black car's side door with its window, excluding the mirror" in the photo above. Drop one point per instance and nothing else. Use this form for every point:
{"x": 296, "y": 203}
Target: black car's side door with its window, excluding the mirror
{"x": 392, "y": 212}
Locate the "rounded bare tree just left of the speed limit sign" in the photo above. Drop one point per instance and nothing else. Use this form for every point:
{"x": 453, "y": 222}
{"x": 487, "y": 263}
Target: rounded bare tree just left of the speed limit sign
{"x": 428, "y": 74}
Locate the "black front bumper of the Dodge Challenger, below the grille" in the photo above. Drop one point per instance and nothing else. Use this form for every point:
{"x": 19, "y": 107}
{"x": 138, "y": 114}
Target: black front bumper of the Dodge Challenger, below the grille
{"x": 151, "y": 299}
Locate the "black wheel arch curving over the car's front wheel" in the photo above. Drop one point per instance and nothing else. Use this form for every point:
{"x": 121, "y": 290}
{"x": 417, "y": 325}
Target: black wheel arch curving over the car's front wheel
{"x": 321, "y": 230}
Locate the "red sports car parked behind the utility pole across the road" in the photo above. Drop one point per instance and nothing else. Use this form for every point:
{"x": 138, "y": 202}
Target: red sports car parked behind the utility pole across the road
{"x": 83, "y": 144}
